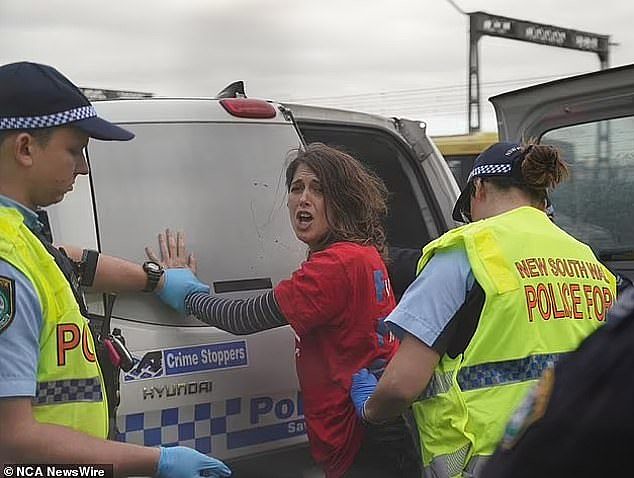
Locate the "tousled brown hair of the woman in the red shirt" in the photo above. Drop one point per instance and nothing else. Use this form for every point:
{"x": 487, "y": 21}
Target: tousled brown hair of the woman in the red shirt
{"x": 355, "y": 197}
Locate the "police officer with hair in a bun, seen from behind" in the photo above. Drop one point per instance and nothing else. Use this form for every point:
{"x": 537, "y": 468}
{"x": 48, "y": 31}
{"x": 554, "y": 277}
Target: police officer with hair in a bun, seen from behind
{"x": 495, "y": 303}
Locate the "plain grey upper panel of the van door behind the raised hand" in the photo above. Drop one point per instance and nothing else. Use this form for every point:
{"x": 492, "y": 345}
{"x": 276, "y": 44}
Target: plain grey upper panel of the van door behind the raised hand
{"x": 221, "y": 183}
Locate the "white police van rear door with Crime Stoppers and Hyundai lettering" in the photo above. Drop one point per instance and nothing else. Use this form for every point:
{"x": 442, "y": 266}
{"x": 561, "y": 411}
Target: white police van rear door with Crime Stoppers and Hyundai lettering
{"x": 220, "y": 178}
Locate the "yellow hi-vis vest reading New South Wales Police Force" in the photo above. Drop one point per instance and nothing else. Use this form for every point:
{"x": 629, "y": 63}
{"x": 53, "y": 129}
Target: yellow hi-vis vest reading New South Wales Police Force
{"x": 545, "y": 292}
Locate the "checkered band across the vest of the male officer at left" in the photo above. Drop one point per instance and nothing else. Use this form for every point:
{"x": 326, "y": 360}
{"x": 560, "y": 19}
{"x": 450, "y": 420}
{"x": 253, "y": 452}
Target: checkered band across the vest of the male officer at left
{"x": 65, "y": 391}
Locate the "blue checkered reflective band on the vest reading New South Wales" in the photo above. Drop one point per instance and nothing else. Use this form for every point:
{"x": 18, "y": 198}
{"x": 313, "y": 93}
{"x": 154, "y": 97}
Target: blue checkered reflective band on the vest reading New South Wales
{"x": 492, "y": 374}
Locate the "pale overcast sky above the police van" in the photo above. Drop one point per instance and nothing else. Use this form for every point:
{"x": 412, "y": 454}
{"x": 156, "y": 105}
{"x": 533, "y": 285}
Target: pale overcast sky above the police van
{"x": 394, "y": 57}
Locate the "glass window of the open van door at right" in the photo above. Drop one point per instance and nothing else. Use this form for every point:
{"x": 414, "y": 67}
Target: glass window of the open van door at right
{"x": 595, "y": 204}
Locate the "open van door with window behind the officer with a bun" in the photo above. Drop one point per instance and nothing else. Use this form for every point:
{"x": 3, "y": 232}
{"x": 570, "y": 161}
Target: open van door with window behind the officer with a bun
{"x": 590, "y": 118}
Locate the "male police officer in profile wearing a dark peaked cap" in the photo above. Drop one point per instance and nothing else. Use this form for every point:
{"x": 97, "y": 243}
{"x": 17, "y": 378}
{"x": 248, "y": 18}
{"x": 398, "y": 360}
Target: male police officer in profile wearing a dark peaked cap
{"x": 53, "y": 408}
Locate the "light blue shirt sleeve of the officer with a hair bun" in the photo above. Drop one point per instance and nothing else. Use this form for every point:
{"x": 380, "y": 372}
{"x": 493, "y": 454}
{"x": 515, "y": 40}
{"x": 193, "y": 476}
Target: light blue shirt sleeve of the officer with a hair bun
{"x": 430, "y": 302}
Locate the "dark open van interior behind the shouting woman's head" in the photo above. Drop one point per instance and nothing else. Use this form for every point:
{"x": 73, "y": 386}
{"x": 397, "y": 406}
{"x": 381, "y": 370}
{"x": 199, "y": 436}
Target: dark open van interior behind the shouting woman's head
{"x": 404, "y": 226}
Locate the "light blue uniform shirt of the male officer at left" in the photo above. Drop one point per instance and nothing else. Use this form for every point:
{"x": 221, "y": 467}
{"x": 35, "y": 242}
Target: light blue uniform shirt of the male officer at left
{"x": 20, "y": 340}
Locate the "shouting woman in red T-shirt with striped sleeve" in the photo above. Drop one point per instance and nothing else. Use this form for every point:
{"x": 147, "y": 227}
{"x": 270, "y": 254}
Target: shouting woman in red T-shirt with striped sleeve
{"x": 335, "y": 303}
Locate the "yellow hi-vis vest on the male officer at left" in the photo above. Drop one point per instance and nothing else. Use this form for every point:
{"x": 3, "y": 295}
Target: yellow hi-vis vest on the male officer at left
{"x": 70, "y": 389}
